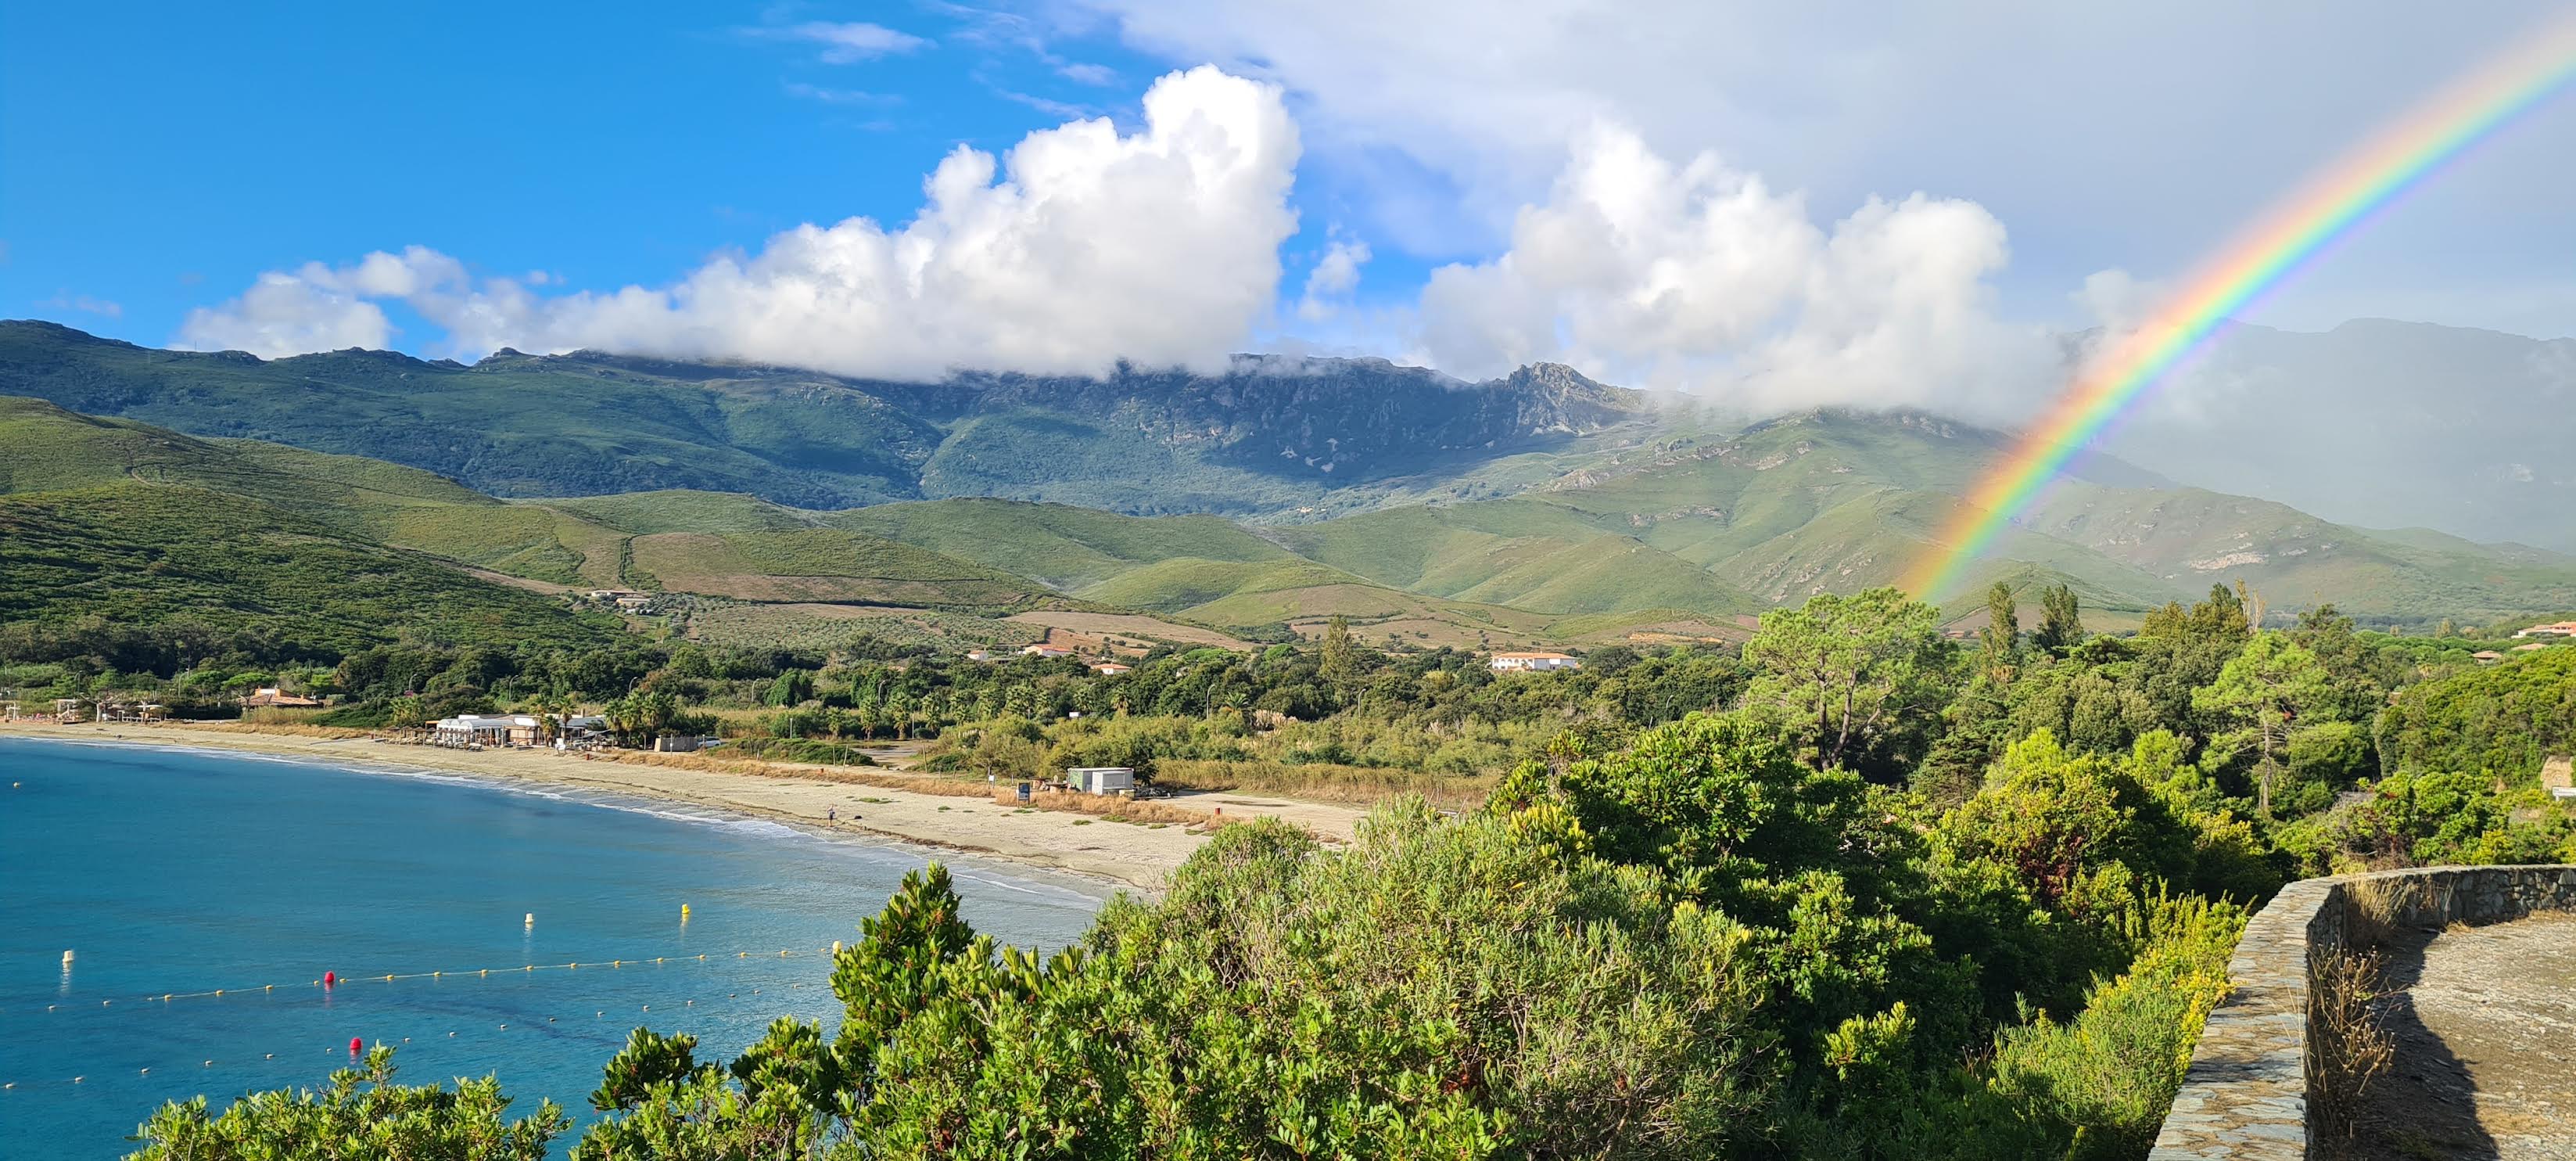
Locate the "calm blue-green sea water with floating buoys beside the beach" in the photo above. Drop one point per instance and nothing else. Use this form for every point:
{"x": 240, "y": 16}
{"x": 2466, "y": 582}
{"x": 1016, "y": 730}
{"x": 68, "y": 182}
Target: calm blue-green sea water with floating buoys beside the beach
{"x": 174, "y": 874}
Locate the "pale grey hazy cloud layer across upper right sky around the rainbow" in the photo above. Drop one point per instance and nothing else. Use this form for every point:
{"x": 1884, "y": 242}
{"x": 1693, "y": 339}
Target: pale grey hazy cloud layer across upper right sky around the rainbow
{"x": 2106, "y": 135}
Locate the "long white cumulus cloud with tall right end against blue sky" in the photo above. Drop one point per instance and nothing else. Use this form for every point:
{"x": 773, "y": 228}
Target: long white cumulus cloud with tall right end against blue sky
{"x": 1078, "y": 248}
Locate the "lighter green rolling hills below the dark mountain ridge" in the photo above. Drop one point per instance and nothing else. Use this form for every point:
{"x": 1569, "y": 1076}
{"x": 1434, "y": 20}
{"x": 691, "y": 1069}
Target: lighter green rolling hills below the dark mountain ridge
{"x": 1694, "y": 526}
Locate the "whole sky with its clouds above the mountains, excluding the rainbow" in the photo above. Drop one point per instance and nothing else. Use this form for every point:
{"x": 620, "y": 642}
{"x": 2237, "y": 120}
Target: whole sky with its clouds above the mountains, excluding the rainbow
{"x": 1671, "y": 192}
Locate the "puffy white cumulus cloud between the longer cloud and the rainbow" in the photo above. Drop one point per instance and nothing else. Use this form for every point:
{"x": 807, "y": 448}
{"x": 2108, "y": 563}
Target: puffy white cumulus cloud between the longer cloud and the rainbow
{"x": 1701, "y": 277}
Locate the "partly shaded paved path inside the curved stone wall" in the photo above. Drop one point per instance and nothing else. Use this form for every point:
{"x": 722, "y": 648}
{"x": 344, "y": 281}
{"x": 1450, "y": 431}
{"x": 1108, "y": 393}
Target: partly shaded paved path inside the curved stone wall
{"x": 2487, "y": 1046}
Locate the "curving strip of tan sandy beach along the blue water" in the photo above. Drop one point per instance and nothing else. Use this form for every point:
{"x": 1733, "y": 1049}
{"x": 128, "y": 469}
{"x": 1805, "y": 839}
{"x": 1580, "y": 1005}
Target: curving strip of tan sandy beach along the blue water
{"x": 1124, "y": 853}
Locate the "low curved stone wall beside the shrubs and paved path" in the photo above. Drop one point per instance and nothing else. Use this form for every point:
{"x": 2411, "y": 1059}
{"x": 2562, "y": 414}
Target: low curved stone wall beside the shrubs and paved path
{"x": 2248, "y": 1090}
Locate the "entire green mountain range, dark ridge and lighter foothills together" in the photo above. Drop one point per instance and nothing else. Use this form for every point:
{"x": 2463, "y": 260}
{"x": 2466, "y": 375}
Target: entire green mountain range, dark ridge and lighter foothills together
{"x": 1531, "y": 508}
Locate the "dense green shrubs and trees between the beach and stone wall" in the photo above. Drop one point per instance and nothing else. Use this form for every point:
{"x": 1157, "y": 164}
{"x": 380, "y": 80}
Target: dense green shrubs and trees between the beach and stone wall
{"x": 1859, "y": 892}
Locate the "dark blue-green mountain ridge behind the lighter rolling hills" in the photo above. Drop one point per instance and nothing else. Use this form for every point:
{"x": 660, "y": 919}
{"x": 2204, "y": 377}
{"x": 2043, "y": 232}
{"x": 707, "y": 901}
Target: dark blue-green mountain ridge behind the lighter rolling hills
{"x": 1266, "y": 436}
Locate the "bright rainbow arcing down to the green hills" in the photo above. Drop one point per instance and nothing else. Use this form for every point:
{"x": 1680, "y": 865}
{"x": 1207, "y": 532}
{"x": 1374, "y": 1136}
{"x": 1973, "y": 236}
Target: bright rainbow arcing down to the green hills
{"x": 2330, "y": 207}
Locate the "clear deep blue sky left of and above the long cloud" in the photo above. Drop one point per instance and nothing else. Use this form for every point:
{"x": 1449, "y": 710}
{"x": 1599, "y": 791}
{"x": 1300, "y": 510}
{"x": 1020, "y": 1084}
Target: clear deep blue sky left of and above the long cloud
{"x": 161, "y": 156}
